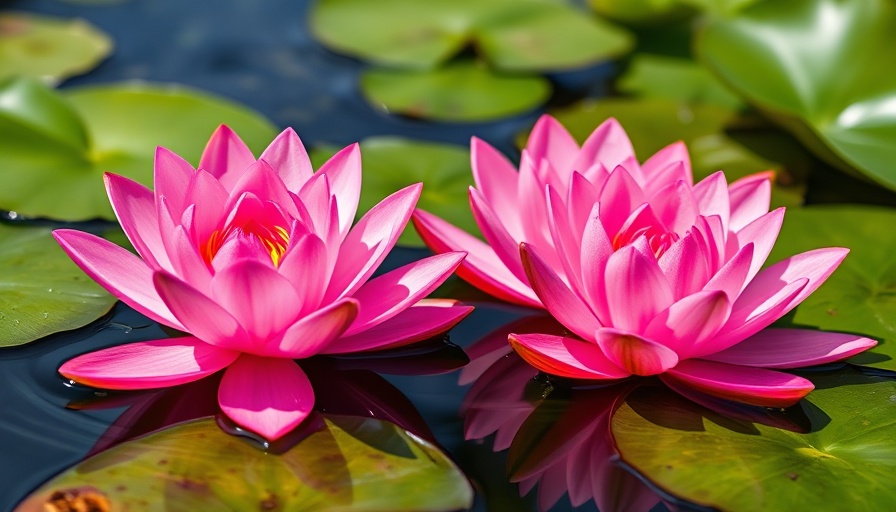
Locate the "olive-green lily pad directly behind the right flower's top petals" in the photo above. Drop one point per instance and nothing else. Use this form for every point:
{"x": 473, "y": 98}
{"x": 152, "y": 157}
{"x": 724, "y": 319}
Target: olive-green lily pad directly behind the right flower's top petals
{"x": 654, "y": 123}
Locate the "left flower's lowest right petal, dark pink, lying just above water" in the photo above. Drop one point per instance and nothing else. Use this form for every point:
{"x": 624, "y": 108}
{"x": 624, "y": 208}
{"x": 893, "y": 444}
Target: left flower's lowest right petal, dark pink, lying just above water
{"x": 421, "y": 321}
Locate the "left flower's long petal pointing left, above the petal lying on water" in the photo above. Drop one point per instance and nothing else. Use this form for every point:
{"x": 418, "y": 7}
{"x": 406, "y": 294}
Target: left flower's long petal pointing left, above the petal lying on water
{"x": 125, "y": 276}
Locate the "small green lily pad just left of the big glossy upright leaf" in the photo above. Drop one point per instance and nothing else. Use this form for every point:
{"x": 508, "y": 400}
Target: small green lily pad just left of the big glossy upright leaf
{"x": 657, "y": 76}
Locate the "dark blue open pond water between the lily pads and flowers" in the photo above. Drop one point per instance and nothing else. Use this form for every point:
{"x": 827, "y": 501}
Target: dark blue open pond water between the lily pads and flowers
{"x": 259, "y": 53}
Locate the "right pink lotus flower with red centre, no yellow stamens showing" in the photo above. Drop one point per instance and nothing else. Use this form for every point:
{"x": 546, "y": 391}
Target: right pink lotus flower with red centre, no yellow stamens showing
{"x": 652, "y": 274}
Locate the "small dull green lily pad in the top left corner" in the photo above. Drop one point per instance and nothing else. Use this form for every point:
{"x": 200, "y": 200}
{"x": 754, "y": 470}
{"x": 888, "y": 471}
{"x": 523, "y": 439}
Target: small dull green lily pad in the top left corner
{"x": 49, "y": 48}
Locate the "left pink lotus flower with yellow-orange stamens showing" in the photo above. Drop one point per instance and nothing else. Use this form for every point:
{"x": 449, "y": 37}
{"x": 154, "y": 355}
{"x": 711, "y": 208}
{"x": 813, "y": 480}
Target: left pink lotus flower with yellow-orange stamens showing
{"x": 259, "y": 262}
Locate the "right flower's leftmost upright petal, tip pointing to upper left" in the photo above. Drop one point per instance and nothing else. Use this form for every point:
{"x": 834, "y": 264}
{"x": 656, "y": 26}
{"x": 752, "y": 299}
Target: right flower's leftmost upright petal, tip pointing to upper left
{"x": 496, "y": 178}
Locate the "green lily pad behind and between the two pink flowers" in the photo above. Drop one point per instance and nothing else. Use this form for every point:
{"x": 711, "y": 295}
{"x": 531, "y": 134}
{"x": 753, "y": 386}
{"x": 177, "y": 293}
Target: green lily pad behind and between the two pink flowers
{"x": 392, "y": 163}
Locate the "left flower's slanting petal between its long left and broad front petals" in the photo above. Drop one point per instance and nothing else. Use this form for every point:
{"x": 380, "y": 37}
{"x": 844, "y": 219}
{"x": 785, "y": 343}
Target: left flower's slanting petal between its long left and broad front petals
{"x": 200, "y": 315}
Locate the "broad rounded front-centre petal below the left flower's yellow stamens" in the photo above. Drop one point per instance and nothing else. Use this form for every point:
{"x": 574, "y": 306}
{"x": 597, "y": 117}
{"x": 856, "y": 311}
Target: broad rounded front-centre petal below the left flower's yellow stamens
{"x": 258, "y": 297}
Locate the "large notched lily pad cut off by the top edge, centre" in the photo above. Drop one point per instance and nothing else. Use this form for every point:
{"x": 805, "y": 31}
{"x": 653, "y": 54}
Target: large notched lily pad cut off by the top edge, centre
{"x": 530, "y": 35}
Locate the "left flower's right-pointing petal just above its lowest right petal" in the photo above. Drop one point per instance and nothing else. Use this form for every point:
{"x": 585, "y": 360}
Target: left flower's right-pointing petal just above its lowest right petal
{"x": 389, "y": 294}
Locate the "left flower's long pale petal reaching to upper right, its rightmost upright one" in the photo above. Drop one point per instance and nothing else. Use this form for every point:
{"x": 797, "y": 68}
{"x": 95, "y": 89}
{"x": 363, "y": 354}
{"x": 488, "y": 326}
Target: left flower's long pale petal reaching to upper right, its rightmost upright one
{"x": 367, "y": 244}
